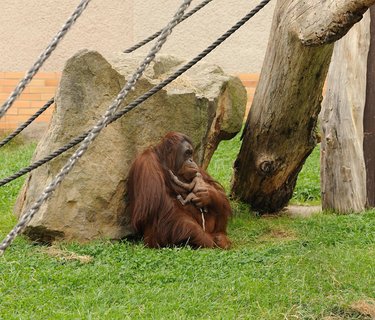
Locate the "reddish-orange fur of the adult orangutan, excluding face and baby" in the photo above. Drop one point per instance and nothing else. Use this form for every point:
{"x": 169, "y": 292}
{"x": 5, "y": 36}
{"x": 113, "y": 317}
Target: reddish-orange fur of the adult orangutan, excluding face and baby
{"x": 157, "y": 215}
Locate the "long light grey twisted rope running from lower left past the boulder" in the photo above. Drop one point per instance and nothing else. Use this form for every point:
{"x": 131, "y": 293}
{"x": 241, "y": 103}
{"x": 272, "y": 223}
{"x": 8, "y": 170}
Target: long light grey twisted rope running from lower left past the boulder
{"x": 94, "y": 132}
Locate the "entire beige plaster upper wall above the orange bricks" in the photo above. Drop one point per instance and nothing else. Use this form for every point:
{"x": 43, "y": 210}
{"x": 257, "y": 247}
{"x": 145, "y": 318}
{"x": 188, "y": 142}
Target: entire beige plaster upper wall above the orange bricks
{"x": 27, "y": 26}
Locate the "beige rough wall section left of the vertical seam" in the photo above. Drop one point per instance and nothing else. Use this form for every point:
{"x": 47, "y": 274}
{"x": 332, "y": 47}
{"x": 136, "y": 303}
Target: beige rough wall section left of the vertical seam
{"x": 27, "y": 27}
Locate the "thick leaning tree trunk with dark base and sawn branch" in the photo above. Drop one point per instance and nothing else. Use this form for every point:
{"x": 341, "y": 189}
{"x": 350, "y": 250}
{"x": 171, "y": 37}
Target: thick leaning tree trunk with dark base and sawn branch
{"x": 280, "y": 131}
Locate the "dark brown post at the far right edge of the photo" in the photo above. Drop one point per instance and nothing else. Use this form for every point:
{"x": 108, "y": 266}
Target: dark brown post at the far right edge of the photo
{"x": 369, "y": 119}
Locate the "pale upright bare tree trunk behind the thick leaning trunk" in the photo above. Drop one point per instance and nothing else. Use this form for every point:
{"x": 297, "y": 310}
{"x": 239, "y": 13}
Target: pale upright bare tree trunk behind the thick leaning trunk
{"x": 343, "y": 173}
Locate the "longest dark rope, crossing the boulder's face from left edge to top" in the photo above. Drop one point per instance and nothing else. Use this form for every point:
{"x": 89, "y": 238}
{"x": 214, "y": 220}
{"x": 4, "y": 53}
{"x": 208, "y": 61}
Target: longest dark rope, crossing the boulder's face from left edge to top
{"x": 142, "y": 98}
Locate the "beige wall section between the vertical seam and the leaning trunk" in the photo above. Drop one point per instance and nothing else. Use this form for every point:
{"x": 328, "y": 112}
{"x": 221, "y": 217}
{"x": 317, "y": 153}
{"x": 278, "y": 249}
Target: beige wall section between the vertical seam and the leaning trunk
{"x": 243, "y": 52}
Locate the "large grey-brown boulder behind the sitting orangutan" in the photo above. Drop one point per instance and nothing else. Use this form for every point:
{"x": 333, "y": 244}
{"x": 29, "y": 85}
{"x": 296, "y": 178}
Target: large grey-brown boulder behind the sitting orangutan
{"x": 205, "y": 104}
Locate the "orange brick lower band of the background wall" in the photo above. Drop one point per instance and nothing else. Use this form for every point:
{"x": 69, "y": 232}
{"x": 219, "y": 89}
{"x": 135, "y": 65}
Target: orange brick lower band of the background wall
{"x": 43, "y": 87}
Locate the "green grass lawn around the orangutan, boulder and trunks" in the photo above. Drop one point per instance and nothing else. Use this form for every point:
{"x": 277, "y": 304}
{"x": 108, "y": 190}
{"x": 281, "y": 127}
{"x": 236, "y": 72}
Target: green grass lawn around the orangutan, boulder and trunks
{"x": 279, "y": 267}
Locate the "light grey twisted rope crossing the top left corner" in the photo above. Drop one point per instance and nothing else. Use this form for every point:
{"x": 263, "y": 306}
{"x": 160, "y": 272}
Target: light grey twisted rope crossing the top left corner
{"x": 43, "y": 57}
